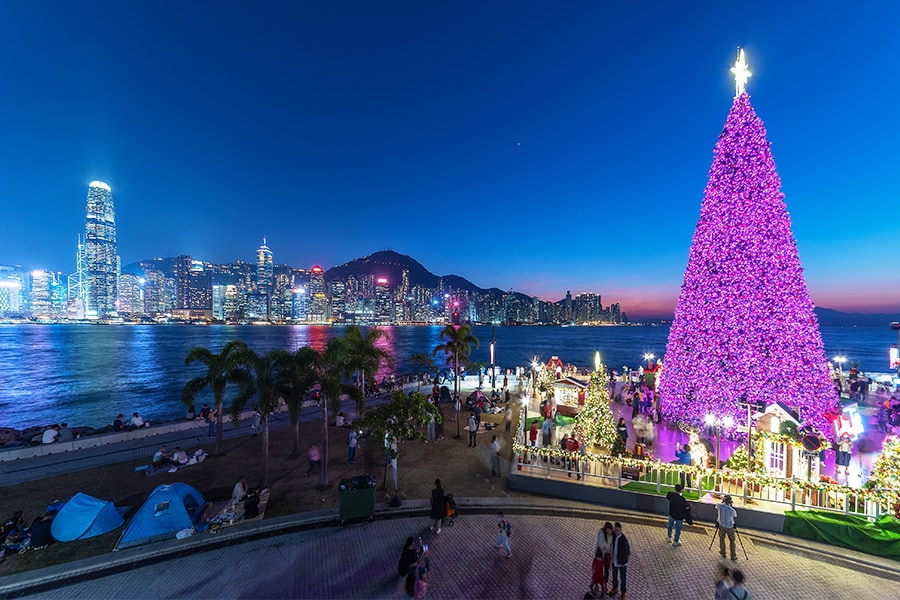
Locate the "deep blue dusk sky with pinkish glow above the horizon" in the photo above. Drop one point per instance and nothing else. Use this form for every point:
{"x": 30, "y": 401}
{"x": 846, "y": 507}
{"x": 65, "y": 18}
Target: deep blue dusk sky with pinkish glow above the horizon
{"x": 539, "y": 146}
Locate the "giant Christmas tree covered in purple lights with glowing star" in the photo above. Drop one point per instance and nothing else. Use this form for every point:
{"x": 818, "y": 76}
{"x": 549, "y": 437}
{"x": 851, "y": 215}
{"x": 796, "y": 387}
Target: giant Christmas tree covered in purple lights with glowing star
{"x": 744, "y": 324}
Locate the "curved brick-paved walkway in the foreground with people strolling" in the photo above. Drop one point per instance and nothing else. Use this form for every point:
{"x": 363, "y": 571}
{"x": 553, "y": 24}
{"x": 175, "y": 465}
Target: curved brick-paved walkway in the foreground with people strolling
{"x": 552, "y": 551}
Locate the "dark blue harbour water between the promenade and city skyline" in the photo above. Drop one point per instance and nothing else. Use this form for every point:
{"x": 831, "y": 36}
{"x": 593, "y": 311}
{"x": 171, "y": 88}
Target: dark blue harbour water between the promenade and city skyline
{"x": 86, "y": 374}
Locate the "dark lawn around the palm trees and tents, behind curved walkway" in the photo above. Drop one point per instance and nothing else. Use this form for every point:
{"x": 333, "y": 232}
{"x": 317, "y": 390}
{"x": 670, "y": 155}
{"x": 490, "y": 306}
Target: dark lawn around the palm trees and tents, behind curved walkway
{"x": 465, "y": 472}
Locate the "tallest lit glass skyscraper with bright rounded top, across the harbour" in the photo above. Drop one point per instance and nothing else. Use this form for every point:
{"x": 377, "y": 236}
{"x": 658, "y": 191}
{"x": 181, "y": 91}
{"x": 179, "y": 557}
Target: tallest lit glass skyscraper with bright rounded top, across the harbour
{"x": 100, "y": 260}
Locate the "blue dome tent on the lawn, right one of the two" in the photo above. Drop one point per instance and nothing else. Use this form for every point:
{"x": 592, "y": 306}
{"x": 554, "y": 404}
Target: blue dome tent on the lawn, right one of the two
{"x": 169, "y": 509}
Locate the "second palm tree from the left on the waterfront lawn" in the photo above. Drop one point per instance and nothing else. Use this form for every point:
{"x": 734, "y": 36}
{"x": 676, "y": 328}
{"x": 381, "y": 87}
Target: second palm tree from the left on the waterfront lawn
{"x": 266, "y": 377}
